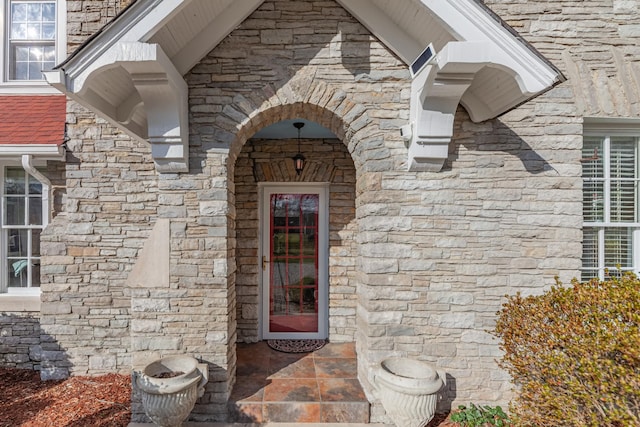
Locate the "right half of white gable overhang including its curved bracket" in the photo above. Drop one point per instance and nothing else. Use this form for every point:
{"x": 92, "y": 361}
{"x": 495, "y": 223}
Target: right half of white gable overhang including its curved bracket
{"x": 481, "y": 44}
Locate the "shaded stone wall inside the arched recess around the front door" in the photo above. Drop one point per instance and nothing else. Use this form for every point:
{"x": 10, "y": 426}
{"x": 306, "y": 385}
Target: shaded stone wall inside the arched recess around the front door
{"x": 270, "y": 161}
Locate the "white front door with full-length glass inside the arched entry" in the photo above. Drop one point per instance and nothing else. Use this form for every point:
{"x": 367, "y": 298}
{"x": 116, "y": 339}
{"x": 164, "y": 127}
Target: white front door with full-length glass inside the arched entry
{"x": 294, "y": 261}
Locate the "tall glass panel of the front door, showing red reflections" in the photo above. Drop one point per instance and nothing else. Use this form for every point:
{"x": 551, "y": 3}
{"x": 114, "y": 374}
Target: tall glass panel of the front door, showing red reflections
{"x": 293, "y": 255}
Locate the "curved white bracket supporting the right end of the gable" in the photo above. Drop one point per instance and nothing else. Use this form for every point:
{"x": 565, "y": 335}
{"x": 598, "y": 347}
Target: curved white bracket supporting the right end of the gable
{"x": 439, "y": 87}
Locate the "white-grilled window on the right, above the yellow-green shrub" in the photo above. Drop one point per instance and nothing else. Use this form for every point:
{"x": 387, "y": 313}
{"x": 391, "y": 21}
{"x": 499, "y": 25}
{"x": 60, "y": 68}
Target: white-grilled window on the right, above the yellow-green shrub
{"x": 611, "y": 229}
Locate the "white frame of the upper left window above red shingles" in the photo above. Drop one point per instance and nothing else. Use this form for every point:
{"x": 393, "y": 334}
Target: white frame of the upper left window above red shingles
{"x": 29, "y": 86}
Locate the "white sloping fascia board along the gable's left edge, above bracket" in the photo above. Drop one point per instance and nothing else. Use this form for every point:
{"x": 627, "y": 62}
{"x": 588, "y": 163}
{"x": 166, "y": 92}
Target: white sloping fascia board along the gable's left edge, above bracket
{"x": 135, "y": 25}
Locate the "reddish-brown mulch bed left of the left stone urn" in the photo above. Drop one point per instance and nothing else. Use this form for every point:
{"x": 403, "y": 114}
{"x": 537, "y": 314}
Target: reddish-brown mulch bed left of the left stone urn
{"x": 26, "y": 401}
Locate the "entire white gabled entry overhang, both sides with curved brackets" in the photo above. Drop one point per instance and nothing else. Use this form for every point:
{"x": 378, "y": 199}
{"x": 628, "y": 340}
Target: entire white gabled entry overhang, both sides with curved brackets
{"x": 131, "y": 71}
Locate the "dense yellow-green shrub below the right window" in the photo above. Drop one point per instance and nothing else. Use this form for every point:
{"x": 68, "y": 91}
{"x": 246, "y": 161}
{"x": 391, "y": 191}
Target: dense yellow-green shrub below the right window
{"x": 574, "y": 354}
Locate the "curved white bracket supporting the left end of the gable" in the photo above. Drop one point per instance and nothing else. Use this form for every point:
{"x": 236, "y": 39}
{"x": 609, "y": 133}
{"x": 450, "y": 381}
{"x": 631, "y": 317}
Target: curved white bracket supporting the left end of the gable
{"x": 163, "y": 94}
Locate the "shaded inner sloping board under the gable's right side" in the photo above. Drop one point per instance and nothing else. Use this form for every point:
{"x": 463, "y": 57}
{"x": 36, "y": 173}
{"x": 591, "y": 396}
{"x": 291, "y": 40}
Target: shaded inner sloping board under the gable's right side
{"x": 390, "y": 34}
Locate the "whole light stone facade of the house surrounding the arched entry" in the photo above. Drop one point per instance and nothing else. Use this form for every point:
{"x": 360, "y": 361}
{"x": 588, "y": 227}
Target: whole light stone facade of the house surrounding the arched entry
{"x": 419, "y": 262}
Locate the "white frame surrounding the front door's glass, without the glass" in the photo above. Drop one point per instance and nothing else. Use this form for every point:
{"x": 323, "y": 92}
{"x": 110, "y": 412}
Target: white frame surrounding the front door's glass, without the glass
{"x": 264, "y": 214}
